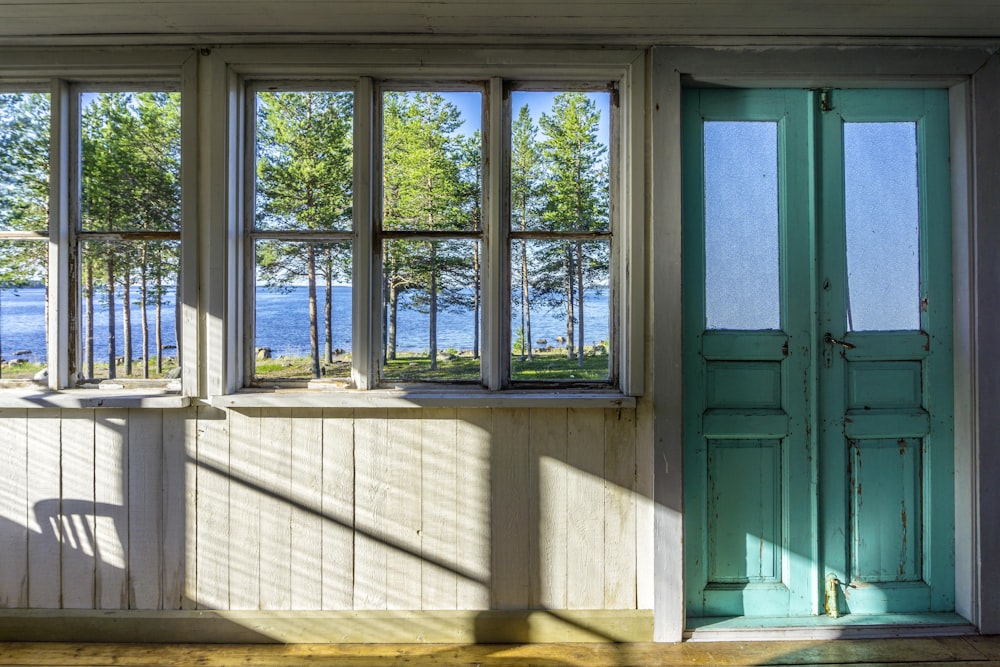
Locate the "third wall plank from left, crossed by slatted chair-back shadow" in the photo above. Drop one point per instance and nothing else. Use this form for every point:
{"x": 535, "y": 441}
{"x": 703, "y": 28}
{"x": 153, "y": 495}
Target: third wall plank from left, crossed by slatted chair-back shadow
{"x": 77, "y": 509}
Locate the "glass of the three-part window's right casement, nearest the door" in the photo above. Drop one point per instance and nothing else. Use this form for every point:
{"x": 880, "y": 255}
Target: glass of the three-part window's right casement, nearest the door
{"x": 560, "y": 235}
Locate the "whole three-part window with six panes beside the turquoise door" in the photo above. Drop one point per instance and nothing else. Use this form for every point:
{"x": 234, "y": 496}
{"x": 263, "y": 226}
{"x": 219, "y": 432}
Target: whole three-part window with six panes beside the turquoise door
{"x": 375, "y": 208}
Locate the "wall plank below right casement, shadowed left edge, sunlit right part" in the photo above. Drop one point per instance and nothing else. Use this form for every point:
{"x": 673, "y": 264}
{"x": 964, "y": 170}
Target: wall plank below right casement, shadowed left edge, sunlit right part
{"x": 547, "y": 430}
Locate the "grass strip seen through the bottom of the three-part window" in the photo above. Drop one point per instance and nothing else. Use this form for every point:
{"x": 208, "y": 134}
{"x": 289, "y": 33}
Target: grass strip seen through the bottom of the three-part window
{"x": 414, "y": 367}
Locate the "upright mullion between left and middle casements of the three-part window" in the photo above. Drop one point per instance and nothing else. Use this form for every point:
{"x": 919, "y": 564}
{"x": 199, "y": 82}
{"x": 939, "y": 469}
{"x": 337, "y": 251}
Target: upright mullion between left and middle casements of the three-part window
{"x": 366, "y": 262}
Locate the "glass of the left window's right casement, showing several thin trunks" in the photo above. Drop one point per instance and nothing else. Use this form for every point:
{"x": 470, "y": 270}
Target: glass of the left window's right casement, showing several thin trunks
{"x": 130, "y": 221}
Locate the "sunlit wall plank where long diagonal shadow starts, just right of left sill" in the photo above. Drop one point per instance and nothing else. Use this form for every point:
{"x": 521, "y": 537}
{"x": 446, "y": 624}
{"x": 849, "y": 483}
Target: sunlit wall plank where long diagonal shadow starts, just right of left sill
{"x": 212, "y": 510}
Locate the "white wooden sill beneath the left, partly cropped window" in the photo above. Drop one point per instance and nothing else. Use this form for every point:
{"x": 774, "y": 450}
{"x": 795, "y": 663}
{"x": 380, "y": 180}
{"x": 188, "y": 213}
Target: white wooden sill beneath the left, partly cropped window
{"x": 91, "y": 398}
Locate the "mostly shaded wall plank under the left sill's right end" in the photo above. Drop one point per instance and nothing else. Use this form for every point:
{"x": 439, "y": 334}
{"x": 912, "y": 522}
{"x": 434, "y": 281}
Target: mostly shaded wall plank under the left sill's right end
{"x": 178, "y": 426}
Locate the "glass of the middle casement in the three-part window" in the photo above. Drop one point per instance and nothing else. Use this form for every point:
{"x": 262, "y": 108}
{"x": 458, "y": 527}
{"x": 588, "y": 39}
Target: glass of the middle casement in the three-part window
{"x": 431, "y": 229}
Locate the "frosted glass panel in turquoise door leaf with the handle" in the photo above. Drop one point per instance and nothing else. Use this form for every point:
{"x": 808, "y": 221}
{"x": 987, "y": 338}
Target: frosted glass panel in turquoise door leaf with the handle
{"x": 883, "y": 226}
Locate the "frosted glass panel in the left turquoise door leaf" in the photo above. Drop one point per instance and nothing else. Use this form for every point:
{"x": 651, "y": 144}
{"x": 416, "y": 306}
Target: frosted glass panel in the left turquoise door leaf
{"x": 742, "y": 289}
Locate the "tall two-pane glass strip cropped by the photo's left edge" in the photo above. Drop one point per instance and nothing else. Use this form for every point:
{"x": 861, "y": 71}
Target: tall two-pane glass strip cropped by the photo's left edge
{"x": 24, "y": 193}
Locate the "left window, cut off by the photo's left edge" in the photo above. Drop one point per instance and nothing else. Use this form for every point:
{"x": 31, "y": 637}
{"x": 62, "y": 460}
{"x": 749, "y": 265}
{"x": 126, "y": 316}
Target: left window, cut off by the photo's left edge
{"x": 90, "y": 219}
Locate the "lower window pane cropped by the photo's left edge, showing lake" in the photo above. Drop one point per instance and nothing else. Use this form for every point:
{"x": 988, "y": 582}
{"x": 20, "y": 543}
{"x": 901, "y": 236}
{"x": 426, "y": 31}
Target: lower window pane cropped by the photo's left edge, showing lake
{"x": 22, "y": 309}
